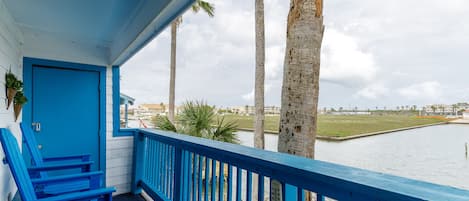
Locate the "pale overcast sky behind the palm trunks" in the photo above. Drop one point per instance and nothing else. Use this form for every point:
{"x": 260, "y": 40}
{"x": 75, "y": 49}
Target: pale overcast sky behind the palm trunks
{"x": 375, "y": 53}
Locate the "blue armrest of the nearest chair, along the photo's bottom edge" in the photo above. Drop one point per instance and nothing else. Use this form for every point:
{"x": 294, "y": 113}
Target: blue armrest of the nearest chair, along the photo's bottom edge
{"x": 82, "y": 195}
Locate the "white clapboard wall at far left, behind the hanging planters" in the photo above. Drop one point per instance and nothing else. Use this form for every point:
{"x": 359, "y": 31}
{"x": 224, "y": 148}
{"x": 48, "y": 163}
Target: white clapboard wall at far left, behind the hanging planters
{"x": 10, "y": 58}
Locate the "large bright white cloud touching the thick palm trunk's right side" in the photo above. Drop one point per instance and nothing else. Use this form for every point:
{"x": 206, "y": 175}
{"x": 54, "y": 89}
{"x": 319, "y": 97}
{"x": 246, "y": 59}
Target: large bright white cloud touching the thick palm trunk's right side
{"x": 344, "y": 61}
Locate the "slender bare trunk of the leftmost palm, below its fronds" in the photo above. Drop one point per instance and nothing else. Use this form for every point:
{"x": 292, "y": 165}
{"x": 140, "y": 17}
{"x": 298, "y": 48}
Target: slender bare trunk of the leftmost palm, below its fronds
{"x": 172, "y": 76}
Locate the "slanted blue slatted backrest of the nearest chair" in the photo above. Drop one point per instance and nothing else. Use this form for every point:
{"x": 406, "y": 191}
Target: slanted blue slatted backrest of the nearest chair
{"x": 17, "y": 165}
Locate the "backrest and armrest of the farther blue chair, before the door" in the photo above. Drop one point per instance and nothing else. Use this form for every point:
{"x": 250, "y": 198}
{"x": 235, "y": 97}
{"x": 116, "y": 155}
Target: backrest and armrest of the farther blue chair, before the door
{"x": 61, "y": 163}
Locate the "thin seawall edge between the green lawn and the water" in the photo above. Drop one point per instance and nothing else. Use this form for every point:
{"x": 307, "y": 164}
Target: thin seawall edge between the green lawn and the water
{"x": 330, "y": 138}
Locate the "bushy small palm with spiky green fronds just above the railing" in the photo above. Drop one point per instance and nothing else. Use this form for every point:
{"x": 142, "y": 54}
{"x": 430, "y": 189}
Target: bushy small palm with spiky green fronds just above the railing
{"x": 199, "y": 119}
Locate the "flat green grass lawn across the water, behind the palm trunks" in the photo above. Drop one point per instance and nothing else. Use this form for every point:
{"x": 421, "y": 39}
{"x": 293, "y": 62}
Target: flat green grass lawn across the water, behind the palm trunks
{"x": 346, "y": 125}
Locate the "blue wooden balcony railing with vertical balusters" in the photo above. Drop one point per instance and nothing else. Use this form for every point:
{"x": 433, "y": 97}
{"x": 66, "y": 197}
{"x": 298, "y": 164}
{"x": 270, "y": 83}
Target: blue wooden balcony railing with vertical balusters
{"x": 171, "y": 166}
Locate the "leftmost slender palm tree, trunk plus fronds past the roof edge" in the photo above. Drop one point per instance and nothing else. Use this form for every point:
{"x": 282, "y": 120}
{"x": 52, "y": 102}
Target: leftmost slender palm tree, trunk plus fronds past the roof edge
{"x": 196, "y": 7}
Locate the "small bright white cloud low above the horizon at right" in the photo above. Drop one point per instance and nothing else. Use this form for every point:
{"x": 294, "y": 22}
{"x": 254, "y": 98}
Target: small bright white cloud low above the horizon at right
{"x": 430, "y": 90}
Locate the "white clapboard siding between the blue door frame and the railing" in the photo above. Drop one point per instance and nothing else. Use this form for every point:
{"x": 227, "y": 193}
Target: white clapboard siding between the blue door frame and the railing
{"x": 118, "y": 149}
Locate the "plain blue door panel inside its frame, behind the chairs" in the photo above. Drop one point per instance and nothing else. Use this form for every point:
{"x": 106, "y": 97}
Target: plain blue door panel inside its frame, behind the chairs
{"x": 65, "y": 103}
